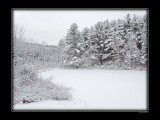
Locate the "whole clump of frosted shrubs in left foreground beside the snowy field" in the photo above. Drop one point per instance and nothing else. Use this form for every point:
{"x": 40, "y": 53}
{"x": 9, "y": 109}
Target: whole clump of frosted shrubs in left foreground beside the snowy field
{"x": 29, "y": 87}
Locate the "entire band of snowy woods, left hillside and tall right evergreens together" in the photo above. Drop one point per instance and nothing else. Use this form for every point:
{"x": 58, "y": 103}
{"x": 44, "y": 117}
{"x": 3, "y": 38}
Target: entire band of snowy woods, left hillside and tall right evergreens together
{"x": 115, "y": 44}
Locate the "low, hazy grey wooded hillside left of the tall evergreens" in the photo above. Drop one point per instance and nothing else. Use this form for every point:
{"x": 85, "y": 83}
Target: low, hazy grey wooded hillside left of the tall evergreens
{"x": 40, "y": 55}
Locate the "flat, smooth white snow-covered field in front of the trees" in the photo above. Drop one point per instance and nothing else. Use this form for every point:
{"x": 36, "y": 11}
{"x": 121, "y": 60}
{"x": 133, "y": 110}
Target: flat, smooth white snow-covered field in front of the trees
{"x": 96, "y": 89}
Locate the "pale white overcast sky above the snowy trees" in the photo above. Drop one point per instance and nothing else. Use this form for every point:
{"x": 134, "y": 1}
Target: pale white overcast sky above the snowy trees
{"x": 51, "y": 25}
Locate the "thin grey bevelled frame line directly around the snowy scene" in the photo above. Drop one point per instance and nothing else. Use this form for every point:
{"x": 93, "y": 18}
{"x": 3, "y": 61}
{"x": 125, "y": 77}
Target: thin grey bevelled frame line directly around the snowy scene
{"x": 84, "y": 110}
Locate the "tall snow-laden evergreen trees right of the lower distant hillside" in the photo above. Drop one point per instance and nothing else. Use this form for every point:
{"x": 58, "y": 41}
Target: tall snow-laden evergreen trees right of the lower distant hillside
{"x": 119, "y": 43}
